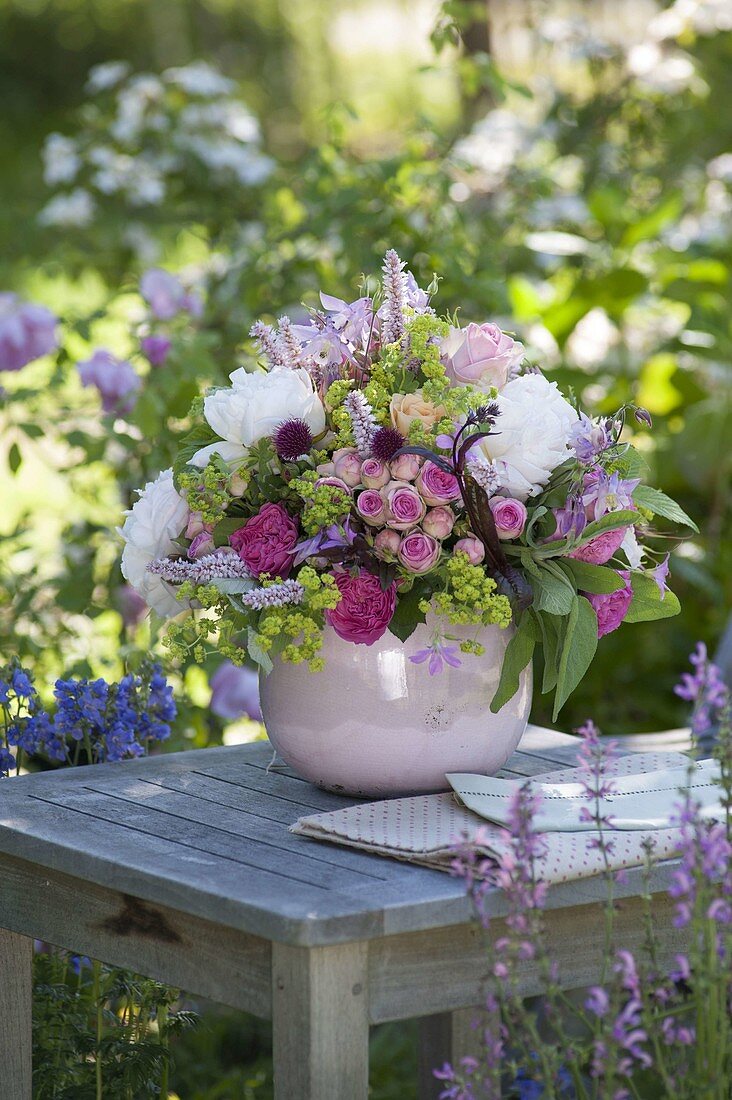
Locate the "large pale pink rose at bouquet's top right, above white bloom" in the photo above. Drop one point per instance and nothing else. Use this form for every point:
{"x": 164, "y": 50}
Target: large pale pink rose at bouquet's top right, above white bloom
{"x": 482, "y": 356}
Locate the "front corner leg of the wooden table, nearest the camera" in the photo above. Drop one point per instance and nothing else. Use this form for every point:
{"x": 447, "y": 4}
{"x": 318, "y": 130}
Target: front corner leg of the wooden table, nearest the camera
{"x": 321, "y": 1022}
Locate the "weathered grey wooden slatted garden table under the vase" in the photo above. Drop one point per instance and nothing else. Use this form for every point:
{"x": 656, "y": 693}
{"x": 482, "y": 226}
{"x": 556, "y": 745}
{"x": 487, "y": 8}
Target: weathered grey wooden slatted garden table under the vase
{"x": 182, "y": 868}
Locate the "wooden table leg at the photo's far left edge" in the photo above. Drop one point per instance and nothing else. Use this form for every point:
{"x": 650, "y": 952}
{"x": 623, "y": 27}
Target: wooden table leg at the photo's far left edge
{"x": 16, "y": 1016}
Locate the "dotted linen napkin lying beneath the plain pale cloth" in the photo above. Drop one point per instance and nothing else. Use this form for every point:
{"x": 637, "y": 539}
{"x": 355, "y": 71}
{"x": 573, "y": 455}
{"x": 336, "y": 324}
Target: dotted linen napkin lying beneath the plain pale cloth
{"x": 425, "y": 829}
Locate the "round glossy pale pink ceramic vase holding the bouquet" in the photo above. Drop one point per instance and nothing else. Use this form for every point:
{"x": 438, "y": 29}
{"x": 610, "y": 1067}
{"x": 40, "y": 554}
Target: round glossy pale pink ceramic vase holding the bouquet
{"x": 374, "y": 723}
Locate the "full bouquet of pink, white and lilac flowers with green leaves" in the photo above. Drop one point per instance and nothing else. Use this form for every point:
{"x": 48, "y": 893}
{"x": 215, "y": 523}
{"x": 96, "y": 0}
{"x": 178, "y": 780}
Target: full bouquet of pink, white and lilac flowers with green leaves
{"x": 380, "y": 465}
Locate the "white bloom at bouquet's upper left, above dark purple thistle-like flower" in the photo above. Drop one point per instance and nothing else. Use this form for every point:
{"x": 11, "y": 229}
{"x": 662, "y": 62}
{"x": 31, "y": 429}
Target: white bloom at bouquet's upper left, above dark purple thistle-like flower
{"x": 257, "y": 404}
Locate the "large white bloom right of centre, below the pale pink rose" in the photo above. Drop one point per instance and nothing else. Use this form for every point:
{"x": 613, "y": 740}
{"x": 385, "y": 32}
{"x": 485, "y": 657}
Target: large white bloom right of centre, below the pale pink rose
{"x": 532, "y": 435}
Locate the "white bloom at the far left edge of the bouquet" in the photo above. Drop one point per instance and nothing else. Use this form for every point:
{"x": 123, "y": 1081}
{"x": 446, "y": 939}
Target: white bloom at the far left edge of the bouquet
{"x": 159, "y": 518}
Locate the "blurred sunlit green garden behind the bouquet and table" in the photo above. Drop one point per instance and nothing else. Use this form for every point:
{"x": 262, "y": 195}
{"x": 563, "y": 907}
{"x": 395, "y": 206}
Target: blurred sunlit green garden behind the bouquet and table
{"x": 566, "y": 168}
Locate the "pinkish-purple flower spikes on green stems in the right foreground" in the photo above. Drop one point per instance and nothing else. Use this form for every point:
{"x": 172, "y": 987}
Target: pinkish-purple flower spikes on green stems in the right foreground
{"x": 649, "y": 1029}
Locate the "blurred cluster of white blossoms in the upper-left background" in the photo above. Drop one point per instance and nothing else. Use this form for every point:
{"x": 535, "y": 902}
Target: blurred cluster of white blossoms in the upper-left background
{"x": 143, "y": 133}
